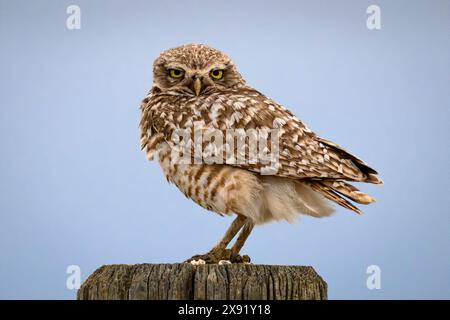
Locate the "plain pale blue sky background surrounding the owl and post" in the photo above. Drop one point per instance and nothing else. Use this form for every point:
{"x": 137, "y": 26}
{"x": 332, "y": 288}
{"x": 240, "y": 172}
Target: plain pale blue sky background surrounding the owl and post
{"x": 75, "y": 188}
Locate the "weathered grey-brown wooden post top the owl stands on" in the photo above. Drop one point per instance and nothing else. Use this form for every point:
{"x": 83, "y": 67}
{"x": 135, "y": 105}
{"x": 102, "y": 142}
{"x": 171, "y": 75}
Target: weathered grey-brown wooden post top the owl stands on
{"x": 203, "y": 282}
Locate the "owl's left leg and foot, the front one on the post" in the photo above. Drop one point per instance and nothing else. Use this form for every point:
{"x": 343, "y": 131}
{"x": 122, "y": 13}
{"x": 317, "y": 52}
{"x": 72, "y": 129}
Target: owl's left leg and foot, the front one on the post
{"x": 219, "y": 251}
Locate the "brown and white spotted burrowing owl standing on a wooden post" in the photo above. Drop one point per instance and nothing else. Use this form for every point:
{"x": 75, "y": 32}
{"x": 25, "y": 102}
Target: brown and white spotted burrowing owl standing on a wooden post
{"x": 197, "y": 89}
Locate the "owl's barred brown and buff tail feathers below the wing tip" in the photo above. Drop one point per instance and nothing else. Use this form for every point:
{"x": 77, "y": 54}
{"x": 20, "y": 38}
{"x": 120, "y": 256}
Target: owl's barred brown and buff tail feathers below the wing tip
{"x": 332, "y": 190}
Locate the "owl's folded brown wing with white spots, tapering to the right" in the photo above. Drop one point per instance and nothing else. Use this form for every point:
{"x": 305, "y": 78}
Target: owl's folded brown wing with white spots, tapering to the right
{"x": 301, "y": 153}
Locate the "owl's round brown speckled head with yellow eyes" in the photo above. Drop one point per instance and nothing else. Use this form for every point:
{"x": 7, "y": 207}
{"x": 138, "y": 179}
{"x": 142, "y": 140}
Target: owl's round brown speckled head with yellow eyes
{"x": 193, "y": 70}
